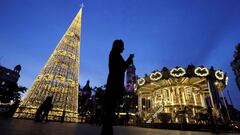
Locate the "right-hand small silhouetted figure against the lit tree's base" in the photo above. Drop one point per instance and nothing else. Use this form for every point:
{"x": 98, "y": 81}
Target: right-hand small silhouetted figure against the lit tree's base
{"x": 47, "y": 106}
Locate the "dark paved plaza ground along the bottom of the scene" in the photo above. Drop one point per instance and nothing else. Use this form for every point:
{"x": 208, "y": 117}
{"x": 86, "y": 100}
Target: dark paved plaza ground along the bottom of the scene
{"x": 29, "y": 127}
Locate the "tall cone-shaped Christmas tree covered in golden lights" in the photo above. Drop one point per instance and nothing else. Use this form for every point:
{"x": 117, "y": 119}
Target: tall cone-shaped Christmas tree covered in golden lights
{"x": 58, "y": 78}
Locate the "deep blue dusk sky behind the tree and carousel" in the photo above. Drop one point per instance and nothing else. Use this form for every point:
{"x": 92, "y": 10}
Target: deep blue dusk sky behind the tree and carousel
{"x": 159, "y": 32}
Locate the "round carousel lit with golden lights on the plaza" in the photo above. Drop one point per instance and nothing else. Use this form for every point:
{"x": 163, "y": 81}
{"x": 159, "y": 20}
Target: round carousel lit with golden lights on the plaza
{"x": 180, "y": 95}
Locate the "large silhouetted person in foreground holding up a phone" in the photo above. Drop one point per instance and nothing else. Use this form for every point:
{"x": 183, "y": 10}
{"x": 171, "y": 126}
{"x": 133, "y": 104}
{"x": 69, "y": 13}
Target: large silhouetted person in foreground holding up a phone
{"x": 115, "y": 85}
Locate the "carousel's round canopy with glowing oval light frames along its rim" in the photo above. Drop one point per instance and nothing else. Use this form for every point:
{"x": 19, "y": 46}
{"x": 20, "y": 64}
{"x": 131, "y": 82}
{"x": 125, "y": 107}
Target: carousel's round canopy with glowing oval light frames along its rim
{"x": 178, "y": 76}
